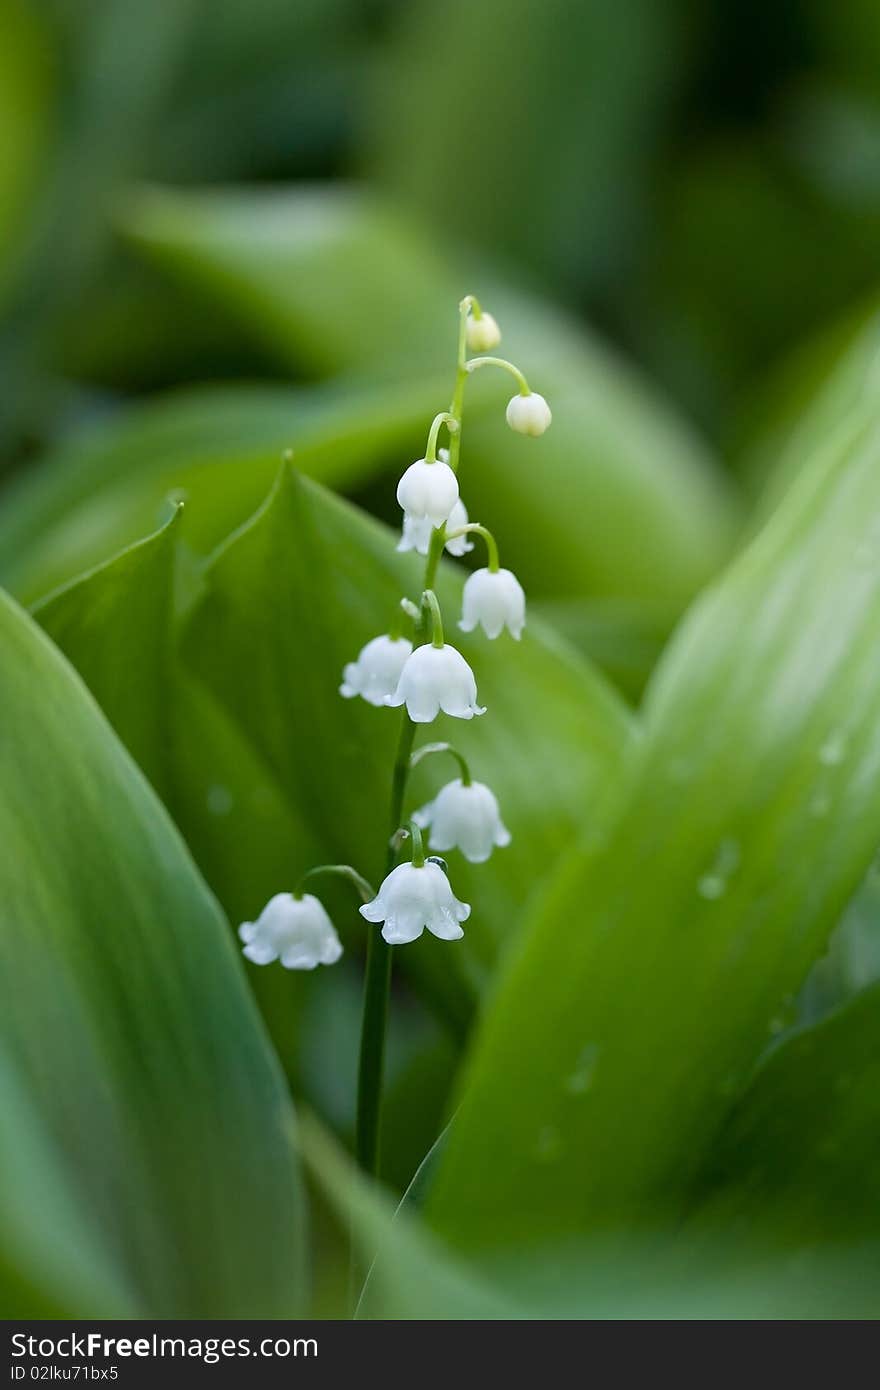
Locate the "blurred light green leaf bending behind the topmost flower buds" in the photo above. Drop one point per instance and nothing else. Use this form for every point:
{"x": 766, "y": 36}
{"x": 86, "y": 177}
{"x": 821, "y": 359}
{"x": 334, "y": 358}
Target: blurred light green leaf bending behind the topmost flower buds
{"x": 618, "y": 498}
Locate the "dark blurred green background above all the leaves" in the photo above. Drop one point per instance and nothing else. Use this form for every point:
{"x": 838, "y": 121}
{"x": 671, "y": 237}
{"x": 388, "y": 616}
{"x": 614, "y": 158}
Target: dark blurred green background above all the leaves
{"x": 701, "y": 181}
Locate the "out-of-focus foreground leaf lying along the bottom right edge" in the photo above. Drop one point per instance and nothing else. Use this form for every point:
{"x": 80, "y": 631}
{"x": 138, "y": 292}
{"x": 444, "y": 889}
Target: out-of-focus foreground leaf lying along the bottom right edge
{"x": 668, "y": 1274}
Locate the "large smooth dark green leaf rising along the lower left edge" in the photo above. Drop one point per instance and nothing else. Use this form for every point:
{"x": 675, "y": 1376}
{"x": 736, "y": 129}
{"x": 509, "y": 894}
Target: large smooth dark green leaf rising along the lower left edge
{"x": 126, "y": 1017}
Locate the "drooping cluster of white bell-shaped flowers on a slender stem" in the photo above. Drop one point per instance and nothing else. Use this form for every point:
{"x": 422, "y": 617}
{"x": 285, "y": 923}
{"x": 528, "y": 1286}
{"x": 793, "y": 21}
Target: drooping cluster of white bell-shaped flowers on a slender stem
{"x": 429, "y": 678}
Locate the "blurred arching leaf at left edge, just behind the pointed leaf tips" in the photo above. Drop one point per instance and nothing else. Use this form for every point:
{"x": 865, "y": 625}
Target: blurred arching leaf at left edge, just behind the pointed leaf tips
{"x": 216, "y": 448}
